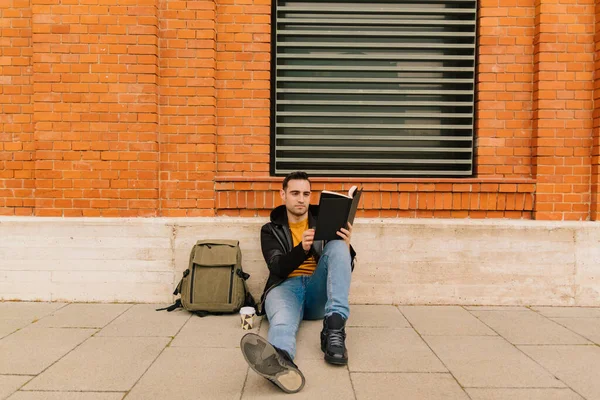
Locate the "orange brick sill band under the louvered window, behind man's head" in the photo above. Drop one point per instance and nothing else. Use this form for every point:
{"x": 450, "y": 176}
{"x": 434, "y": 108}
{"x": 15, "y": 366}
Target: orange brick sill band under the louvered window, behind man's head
{"x": 423, "y": 198}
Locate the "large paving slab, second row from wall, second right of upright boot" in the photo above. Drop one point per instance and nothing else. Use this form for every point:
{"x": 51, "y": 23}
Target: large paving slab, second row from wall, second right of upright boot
{"x": 488, "y": 361}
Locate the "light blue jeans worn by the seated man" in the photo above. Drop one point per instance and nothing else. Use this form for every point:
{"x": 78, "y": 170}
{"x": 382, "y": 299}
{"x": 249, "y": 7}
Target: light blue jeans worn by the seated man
{"x": 310, "y": 297}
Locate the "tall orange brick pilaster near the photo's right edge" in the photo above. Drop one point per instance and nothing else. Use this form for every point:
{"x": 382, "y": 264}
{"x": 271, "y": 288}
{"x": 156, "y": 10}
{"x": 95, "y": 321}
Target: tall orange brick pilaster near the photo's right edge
{"x": 563, "y": 107}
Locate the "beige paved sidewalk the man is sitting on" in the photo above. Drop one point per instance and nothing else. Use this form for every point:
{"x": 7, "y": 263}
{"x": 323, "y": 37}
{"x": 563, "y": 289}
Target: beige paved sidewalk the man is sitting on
{"x": 60, "y": 351}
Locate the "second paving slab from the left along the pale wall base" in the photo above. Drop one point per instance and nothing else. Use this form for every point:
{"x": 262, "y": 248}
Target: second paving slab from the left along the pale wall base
{"x": 83, "y": 315}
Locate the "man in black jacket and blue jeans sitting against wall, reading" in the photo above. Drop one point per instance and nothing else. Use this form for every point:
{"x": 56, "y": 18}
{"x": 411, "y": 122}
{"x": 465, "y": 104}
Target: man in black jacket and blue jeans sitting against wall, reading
{"x": 307, "y": 280}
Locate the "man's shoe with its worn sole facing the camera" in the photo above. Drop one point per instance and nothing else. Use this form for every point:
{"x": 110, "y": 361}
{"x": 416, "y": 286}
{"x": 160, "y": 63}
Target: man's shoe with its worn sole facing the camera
{"x": 272, "y": 363}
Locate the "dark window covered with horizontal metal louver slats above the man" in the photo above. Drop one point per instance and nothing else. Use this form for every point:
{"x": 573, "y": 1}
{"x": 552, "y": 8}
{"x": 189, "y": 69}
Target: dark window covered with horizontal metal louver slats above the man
{"x": 382, "y": 88}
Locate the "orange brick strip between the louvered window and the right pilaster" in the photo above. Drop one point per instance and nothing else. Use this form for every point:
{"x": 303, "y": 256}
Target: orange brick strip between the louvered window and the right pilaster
{"x": 505, "y": 108}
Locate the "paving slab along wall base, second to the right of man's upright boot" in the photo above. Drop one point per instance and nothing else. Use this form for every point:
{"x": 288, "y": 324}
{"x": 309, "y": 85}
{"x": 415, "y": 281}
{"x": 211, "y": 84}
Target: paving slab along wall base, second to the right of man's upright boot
{"x": 444, "y": 320}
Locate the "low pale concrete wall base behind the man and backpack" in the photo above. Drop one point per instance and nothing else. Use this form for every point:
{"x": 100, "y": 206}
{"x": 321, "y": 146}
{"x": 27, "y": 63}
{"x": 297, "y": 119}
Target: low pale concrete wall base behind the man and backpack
{"x": 400, "y": 261}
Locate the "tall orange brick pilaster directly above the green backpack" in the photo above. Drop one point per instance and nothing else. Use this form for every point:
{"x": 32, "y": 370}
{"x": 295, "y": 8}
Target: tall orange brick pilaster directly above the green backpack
{"x": 187, "y": 107}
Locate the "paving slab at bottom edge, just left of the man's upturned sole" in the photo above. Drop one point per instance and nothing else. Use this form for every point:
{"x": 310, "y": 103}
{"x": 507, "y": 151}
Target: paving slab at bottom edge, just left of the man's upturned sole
{"x": 193, "y": 372}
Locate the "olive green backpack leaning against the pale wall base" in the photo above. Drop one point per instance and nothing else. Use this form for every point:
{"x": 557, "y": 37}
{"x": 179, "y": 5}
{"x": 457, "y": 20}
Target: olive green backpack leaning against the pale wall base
{"x": 214, "y": 282}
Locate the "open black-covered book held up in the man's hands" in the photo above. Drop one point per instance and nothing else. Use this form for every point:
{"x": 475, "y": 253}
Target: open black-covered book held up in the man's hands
{"x": 335, "y": 211}
